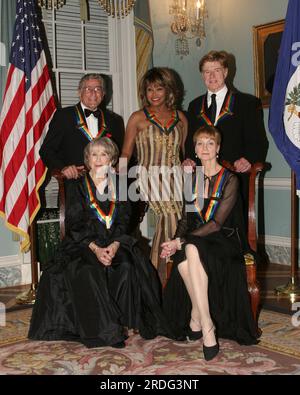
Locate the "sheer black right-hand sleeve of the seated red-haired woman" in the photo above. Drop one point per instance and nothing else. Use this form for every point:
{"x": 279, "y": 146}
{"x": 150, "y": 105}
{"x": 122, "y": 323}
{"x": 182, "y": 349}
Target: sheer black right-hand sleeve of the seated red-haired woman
{"x": 227, "y": 202}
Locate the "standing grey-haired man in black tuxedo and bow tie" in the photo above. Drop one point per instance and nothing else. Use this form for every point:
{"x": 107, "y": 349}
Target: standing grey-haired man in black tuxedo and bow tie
{"x": 72, "y": 128}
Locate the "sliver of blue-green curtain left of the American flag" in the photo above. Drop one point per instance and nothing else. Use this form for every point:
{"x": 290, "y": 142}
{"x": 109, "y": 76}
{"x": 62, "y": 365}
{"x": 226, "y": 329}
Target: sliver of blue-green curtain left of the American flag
{"x": 7, "y": 20}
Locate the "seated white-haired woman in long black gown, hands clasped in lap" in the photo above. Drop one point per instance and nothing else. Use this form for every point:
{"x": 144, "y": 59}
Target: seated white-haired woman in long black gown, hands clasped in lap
{"x": 99, "y": 282}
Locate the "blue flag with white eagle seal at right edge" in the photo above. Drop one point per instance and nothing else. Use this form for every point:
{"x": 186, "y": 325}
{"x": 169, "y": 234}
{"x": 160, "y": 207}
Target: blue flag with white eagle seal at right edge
{"x": 284, "y": 116}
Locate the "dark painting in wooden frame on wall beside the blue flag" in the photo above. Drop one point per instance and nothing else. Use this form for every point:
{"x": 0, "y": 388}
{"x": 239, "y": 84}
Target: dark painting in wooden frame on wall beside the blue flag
{"x": 266, "y": 44}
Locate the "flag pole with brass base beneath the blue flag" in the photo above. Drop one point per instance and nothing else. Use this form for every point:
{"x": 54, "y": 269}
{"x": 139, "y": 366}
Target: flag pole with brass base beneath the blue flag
{"x": 292, "y": 288}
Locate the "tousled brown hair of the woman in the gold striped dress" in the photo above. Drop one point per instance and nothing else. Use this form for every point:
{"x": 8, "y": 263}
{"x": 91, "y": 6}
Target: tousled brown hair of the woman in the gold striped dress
{"x": 164, "y": 77}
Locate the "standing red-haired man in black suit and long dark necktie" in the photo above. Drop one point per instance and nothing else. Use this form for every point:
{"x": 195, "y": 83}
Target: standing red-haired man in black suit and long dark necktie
{"x": 238, "y": 116}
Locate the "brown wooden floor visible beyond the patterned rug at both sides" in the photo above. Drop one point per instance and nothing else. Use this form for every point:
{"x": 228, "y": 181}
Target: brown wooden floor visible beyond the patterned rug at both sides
{"x": 270, "y": 276}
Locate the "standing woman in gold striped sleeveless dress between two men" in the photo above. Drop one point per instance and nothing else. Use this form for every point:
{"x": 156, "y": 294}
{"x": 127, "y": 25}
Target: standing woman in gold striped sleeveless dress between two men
{"x": 159, "y": 131}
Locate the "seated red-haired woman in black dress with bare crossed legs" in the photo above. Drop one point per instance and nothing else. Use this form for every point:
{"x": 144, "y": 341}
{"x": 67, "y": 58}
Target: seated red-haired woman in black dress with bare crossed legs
{"x": 207, "y": 290}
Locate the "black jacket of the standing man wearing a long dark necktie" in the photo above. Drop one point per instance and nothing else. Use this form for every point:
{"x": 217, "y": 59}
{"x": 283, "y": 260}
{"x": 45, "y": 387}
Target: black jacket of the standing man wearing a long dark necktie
{"x": 240, "y": 123}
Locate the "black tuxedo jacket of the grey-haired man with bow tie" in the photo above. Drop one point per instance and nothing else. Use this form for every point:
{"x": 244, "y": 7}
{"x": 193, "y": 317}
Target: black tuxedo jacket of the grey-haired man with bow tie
{"x": 66, "y": 140}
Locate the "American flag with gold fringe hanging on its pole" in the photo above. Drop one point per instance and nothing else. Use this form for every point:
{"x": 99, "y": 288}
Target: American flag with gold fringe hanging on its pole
{"x": 28, "y": 107}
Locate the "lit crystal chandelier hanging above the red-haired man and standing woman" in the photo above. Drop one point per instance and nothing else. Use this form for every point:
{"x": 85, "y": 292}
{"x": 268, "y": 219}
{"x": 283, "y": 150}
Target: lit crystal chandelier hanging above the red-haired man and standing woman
{"x": 188, "y": 22}
